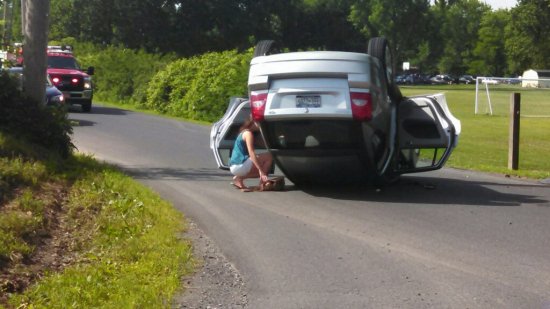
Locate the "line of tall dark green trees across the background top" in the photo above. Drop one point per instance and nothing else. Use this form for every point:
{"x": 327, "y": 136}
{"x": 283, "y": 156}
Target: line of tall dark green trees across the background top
{"x": 446, "y": 36}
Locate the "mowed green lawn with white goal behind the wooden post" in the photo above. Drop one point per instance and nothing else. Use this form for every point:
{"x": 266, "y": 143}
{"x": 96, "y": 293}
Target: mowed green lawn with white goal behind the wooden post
{"x": 483, "y": 143}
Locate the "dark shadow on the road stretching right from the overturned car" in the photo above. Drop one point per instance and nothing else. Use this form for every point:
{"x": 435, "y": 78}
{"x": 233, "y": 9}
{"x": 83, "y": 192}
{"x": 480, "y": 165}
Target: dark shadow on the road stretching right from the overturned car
{"x": 427, "y": 190}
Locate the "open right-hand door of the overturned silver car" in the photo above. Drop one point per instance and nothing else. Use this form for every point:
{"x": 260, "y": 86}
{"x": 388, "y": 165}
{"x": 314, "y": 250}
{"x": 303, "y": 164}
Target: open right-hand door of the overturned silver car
{"x": 427, "y": 133}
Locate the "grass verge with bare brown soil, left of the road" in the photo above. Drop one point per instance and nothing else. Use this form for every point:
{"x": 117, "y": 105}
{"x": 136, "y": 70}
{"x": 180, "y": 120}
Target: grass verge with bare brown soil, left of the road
{"x": 76, "y": 233}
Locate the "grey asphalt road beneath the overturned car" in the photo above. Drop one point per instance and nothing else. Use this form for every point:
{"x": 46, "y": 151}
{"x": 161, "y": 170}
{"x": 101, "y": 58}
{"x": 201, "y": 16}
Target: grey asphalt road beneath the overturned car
{"x": 444, "y": 239}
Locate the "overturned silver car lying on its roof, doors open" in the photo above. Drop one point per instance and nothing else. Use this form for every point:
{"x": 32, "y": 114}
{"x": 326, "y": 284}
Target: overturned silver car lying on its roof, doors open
{"x": 338, "y": 117}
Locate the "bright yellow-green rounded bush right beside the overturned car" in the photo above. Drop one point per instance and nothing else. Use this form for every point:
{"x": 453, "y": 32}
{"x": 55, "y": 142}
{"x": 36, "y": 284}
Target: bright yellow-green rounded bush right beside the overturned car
{"x": 198, "y": 88}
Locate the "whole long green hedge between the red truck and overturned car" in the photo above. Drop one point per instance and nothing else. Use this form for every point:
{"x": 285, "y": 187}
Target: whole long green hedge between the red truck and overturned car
{"x": 195, "y": 88}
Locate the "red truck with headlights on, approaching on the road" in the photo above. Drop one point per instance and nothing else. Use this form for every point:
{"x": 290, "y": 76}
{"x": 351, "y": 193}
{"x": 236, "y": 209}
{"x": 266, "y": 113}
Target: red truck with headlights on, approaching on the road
{"x": 67, "y": 76}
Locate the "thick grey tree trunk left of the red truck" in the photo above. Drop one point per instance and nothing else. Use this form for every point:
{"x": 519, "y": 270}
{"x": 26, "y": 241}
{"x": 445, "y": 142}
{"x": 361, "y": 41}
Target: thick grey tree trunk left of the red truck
{"x": 34, "y": 50}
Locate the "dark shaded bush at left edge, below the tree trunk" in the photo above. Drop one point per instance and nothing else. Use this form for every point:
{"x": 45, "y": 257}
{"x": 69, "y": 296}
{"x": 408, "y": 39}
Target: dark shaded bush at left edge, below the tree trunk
{"x": 33, "y": 121}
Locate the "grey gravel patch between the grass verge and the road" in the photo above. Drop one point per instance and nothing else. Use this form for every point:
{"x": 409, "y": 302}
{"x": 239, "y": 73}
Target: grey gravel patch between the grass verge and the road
{"x": 217, "y": 283}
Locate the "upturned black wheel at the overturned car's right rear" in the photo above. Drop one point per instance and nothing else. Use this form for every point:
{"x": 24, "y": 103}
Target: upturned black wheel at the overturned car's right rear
{"x": 380, "y": 49}
